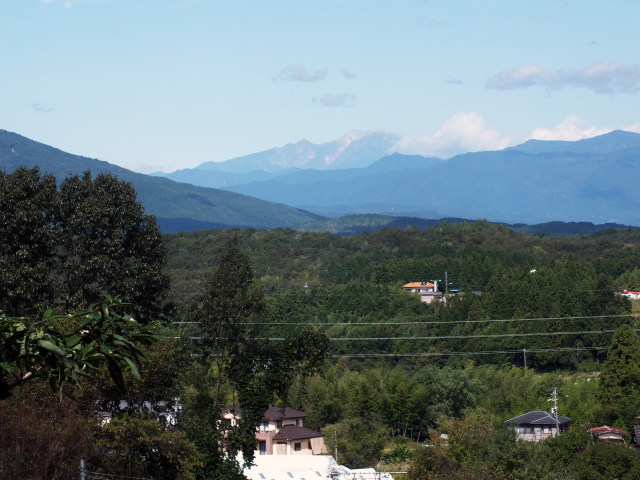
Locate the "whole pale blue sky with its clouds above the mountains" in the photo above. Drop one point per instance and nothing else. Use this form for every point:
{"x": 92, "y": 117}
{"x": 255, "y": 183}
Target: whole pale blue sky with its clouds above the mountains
{"x": 168, "y": 84}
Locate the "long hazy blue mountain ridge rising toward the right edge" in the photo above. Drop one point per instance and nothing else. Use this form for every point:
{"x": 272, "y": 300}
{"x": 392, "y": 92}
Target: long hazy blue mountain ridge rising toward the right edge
{"x": 587, "y": 181}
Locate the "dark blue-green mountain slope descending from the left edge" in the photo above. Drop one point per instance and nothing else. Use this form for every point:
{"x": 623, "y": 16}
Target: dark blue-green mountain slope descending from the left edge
{"x": 178, "y": 206}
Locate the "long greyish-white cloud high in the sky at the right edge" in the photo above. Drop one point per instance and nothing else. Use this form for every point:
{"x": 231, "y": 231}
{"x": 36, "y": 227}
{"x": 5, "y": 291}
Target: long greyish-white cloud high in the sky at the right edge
{"x": 601, "y": 77}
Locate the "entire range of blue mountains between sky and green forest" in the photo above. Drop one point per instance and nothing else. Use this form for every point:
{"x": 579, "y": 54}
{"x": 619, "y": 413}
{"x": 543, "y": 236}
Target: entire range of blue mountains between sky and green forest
{"x": 593, "y": 181}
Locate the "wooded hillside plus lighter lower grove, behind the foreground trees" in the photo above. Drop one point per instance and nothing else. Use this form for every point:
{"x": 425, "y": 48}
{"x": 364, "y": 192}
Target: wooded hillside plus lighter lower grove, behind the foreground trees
{"x": 530, "y": 313}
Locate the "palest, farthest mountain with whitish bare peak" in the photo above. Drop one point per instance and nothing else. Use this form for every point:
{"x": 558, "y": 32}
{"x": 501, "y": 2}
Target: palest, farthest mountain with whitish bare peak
{"x": 354, "y": 150}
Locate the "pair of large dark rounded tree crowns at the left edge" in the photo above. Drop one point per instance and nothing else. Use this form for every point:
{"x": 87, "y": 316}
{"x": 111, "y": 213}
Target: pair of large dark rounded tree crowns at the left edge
{"x": 67, "y": 248}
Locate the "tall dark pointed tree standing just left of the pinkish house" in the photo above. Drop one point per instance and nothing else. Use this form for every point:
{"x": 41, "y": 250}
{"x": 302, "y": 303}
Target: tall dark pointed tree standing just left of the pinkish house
{"x": 246, "y": 369}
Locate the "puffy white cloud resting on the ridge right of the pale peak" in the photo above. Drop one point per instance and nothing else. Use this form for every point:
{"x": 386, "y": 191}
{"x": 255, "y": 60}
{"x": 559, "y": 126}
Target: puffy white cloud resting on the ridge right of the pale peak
{"x": 463, "y": 132}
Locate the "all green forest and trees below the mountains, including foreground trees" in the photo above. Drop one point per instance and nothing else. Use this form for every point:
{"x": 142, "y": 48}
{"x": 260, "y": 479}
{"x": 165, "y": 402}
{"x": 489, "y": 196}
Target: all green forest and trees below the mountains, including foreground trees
{"x": 316, "y": 321}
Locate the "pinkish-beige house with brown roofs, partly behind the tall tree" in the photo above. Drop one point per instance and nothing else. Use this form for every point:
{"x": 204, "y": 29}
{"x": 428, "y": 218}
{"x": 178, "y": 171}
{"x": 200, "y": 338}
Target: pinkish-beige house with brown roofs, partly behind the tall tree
{"x": 282, "y": 432}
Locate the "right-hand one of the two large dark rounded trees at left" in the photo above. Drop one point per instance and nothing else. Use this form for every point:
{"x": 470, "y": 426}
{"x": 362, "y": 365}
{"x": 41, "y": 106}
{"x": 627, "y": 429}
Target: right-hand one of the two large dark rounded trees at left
{"x": 109, "y": 245}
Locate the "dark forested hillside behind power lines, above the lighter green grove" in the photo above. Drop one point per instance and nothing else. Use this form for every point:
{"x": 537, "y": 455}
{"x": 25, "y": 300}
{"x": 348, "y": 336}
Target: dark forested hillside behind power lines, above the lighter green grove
{"x": 520, "y": 291}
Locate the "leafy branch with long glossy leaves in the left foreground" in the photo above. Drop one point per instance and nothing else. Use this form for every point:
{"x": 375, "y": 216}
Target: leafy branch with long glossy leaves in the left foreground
{"x": 65, "y": 348}
